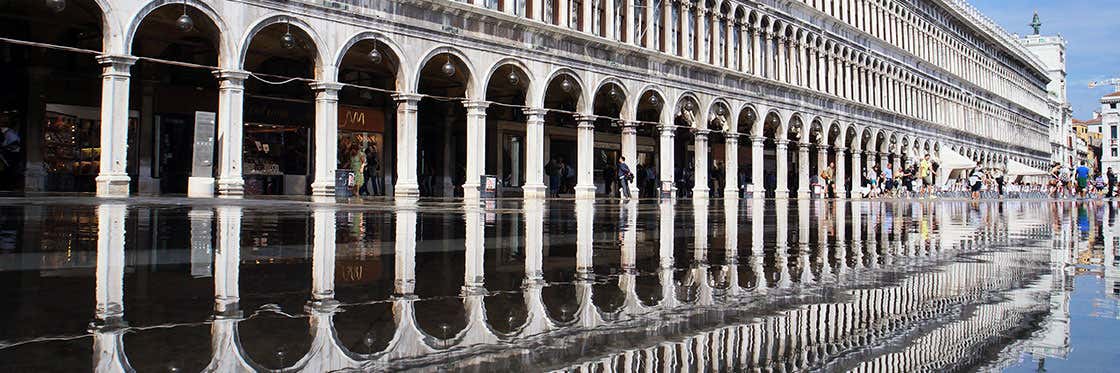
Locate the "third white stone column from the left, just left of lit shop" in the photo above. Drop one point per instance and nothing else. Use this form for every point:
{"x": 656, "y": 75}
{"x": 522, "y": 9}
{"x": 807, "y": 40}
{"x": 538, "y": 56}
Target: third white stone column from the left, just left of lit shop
{"x": 326, "y": 137}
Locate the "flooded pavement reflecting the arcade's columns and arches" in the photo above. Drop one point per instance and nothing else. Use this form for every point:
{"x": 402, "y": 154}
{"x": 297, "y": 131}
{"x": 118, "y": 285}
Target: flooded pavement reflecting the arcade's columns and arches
{"x": 176, "y": 285}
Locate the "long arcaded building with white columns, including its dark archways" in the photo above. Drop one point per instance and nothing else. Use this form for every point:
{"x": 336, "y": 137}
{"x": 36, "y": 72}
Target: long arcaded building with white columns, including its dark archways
{"x": 426, "y": 98}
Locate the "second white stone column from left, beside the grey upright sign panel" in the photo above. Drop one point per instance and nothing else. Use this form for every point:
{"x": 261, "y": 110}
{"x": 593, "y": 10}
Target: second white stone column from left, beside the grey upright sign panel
{"x": 230, "y": 132}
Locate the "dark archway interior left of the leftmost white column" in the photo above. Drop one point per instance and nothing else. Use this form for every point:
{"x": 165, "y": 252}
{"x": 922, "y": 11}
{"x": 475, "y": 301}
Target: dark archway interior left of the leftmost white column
{"x": 51, "y": 98}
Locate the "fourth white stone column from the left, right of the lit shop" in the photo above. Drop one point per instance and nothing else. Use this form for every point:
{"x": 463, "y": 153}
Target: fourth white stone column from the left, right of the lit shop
{"x": 407, "y": 153}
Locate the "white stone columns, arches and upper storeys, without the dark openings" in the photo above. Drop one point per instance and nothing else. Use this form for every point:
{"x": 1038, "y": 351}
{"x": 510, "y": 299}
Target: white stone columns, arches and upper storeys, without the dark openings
{"x": 881, "y": 81}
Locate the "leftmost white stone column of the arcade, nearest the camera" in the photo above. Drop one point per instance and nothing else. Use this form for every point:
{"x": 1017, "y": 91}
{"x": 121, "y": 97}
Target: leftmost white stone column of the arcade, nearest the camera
{"x": 114, "y": 179}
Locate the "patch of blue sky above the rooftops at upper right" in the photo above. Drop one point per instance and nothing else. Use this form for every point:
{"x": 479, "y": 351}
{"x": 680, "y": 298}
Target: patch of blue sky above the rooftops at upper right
{"x": 1093, "y": 33}
